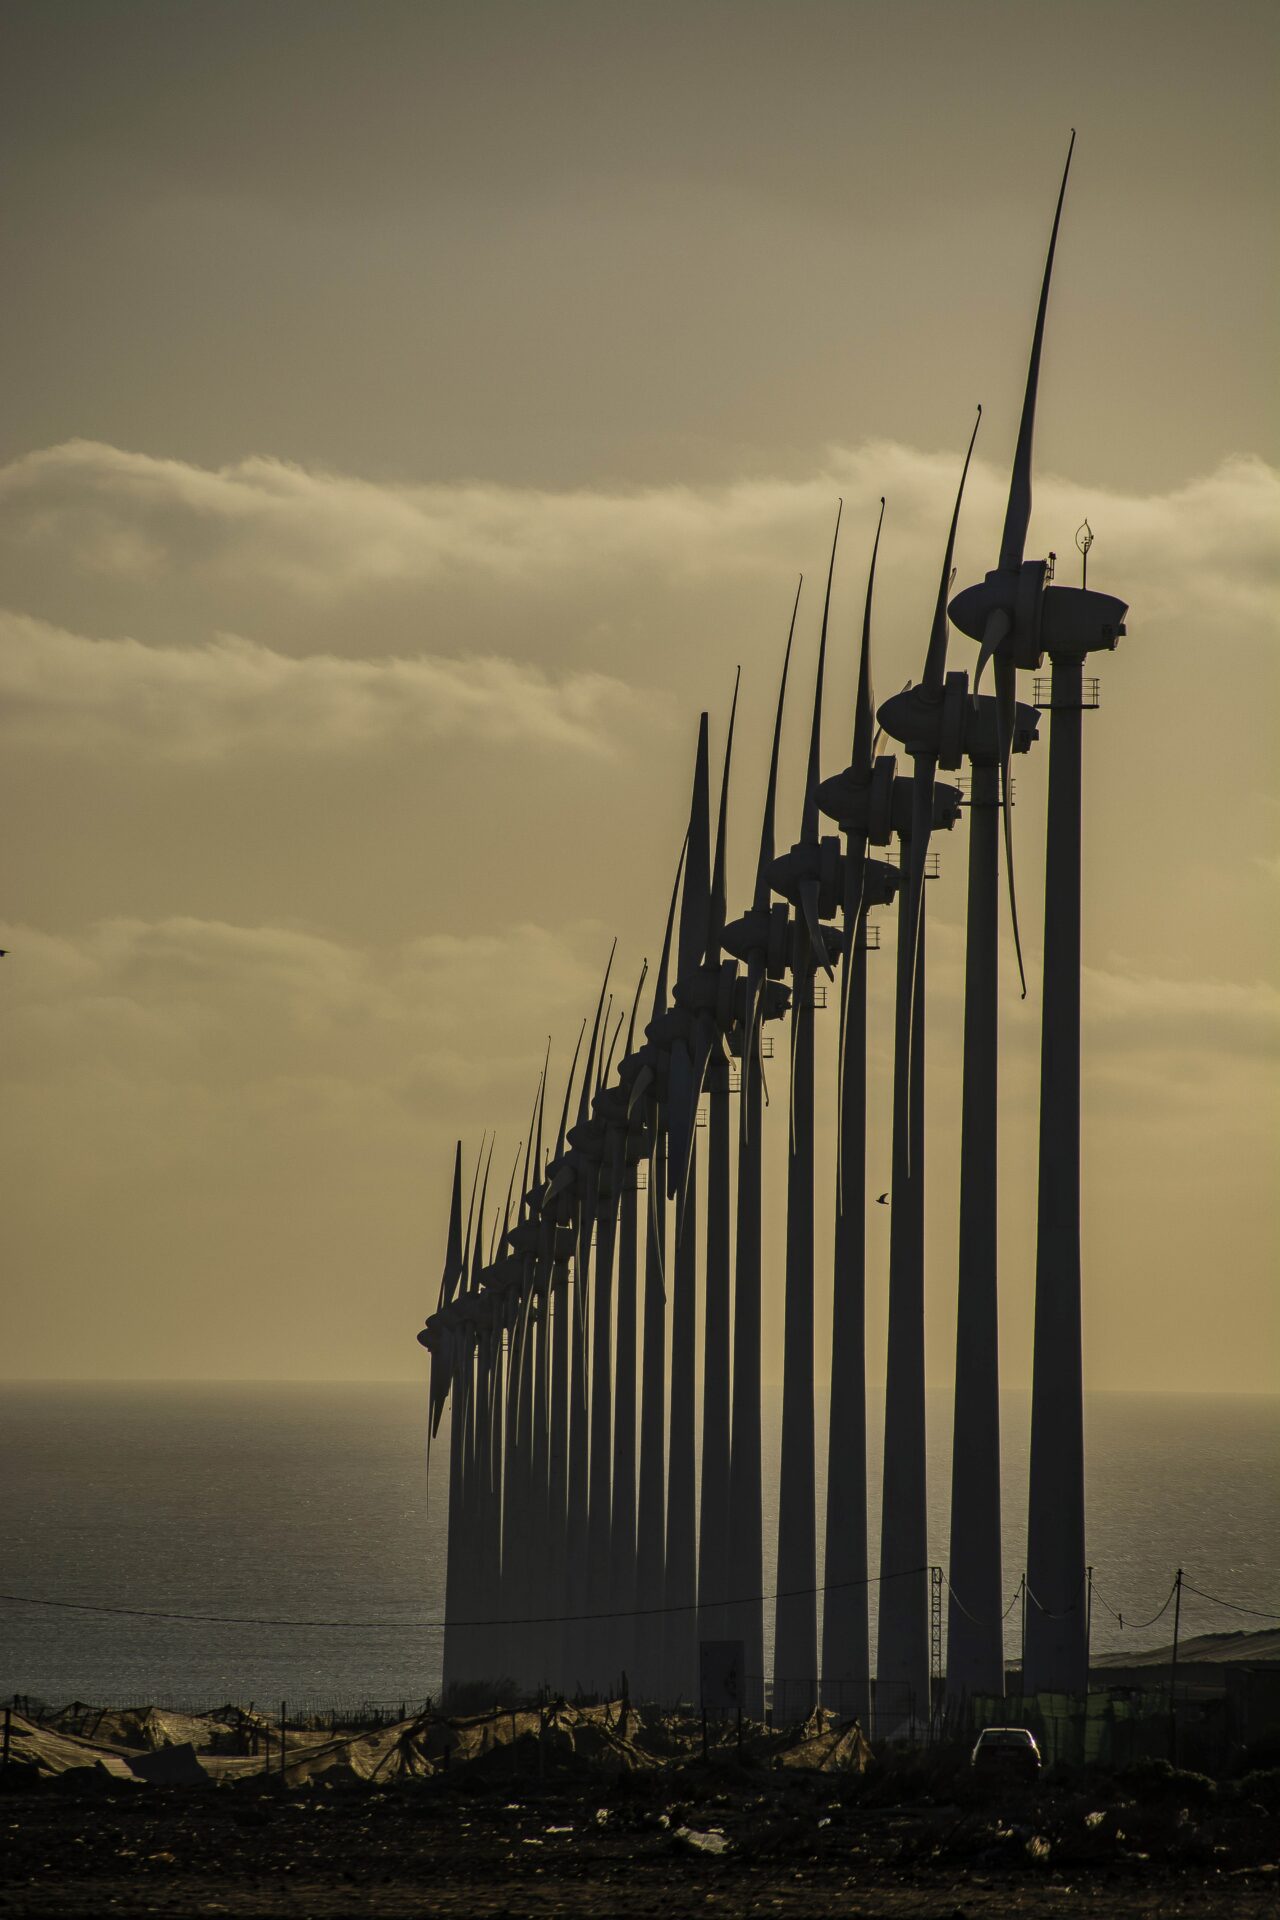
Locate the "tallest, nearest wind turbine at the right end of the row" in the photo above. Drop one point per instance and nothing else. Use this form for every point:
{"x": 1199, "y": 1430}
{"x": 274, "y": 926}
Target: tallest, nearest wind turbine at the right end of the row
{"x": 1018, "y": 619}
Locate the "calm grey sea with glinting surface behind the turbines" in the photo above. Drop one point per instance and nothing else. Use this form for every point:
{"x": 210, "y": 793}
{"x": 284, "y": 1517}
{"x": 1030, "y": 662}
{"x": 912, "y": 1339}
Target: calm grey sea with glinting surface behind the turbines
{"x": 312, "y": 1504}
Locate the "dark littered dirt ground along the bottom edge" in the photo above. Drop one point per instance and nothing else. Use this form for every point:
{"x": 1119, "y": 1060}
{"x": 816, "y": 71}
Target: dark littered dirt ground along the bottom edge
{"x": 646, "y": 1846}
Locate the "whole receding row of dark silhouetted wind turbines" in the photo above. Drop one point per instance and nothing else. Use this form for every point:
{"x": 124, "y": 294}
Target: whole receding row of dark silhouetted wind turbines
{"x": 590, "y": 1535}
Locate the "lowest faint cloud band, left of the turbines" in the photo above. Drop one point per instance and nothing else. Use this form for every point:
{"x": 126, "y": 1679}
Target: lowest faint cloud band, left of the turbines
{"x": 229, "y": 1007}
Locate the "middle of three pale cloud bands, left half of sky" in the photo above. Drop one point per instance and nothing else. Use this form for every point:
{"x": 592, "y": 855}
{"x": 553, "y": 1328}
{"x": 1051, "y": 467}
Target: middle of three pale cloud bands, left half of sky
{"x": 231, "y": 696}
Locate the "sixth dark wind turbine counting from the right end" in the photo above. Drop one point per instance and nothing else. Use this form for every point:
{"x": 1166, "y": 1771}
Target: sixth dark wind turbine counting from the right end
{"x": 761, "y": 940}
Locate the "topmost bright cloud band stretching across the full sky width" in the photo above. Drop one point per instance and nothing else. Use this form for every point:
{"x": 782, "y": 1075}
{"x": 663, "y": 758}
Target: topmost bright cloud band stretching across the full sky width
{"x": 133, "y": 517}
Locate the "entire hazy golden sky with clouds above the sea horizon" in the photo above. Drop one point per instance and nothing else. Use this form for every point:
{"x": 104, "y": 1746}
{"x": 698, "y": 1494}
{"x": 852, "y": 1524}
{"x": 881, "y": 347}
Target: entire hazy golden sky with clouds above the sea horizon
{"x": 414, "y": 414}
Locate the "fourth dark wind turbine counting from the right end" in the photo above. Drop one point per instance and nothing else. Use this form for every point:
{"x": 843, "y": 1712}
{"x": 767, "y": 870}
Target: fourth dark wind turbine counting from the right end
{"x": 861, "y": 800}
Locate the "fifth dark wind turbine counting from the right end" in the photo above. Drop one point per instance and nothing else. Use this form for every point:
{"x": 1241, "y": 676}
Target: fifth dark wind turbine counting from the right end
{"x": 809, "y": 876}
